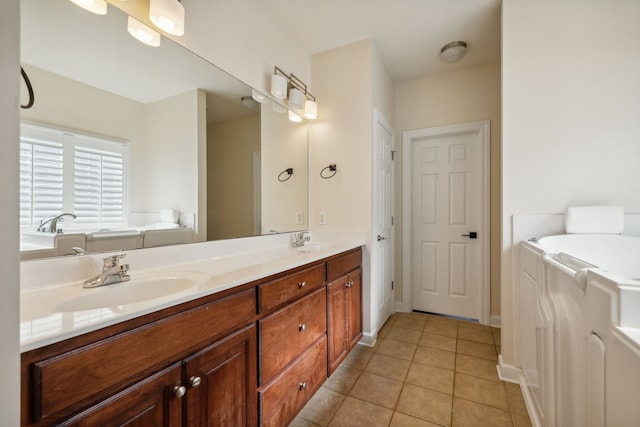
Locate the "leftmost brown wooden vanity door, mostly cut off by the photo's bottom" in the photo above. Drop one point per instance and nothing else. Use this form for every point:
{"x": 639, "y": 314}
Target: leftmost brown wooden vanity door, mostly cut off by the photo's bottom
{"x": 149, "y": 403}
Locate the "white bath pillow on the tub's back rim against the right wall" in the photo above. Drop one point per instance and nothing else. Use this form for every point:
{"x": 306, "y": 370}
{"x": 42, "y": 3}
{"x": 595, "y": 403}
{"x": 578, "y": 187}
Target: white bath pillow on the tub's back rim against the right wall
{"x": 594, "y": 219}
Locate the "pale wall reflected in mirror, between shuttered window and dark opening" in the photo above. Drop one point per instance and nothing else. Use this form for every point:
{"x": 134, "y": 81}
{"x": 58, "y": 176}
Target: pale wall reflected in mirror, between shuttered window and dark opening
{"x": 173, "y": 136}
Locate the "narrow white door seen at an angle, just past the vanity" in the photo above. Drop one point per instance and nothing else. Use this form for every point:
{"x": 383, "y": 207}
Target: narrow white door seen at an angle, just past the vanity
{"x": 382, "y": 256}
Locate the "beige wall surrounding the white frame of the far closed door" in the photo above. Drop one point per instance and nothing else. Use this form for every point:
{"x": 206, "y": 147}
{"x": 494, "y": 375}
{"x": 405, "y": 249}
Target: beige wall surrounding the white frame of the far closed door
{"x": 466, "y": 95}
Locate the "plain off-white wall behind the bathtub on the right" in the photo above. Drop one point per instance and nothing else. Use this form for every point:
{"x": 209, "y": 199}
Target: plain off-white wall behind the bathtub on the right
{"x": 571, "y": 102}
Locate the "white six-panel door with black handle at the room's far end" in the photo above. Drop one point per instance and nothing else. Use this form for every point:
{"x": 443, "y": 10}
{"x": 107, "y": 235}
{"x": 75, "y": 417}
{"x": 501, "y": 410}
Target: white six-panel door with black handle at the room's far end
{"x": 448, "y": 224}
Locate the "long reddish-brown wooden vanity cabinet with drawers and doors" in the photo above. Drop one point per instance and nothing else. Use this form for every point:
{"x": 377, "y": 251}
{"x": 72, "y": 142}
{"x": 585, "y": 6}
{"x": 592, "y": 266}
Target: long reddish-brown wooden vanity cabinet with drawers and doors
{"x": 250, "y": 354}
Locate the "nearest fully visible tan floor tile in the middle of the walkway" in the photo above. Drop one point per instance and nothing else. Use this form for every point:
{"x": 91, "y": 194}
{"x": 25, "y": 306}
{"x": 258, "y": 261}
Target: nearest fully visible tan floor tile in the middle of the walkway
{"x": 426, "y": 404}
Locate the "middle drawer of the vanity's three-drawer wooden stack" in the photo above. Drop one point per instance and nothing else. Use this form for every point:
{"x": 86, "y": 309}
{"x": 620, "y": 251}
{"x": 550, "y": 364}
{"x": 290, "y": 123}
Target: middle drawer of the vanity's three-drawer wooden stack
{"x": 287, "y": 332}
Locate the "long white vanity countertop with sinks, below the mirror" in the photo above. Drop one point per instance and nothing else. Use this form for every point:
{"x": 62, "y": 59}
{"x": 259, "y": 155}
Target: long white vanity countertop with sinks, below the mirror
{"x": 45, "y": 317}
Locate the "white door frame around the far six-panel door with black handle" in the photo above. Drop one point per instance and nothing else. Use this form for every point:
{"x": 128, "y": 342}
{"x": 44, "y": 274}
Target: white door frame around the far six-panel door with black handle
{"x": 482, "y": 129}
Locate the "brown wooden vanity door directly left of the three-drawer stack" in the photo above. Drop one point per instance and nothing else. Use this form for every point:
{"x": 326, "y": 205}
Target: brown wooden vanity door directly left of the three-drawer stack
{"x": 221, "y": 382}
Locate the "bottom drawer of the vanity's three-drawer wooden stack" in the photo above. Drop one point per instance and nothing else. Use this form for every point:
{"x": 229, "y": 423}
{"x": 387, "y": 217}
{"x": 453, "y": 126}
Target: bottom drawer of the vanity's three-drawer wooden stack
{"x": 286, "y": 395}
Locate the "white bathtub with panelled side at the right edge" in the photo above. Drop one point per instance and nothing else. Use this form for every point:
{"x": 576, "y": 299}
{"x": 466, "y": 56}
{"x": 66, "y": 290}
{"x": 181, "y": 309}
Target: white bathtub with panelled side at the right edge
{"x": 580, "y": 317}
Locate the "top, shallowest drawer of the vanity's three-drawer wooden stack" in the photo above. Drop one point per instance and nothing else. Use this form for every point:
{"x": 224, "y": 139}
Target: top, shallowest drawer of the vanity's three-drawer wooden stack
{"x": 280, "y": 291}
